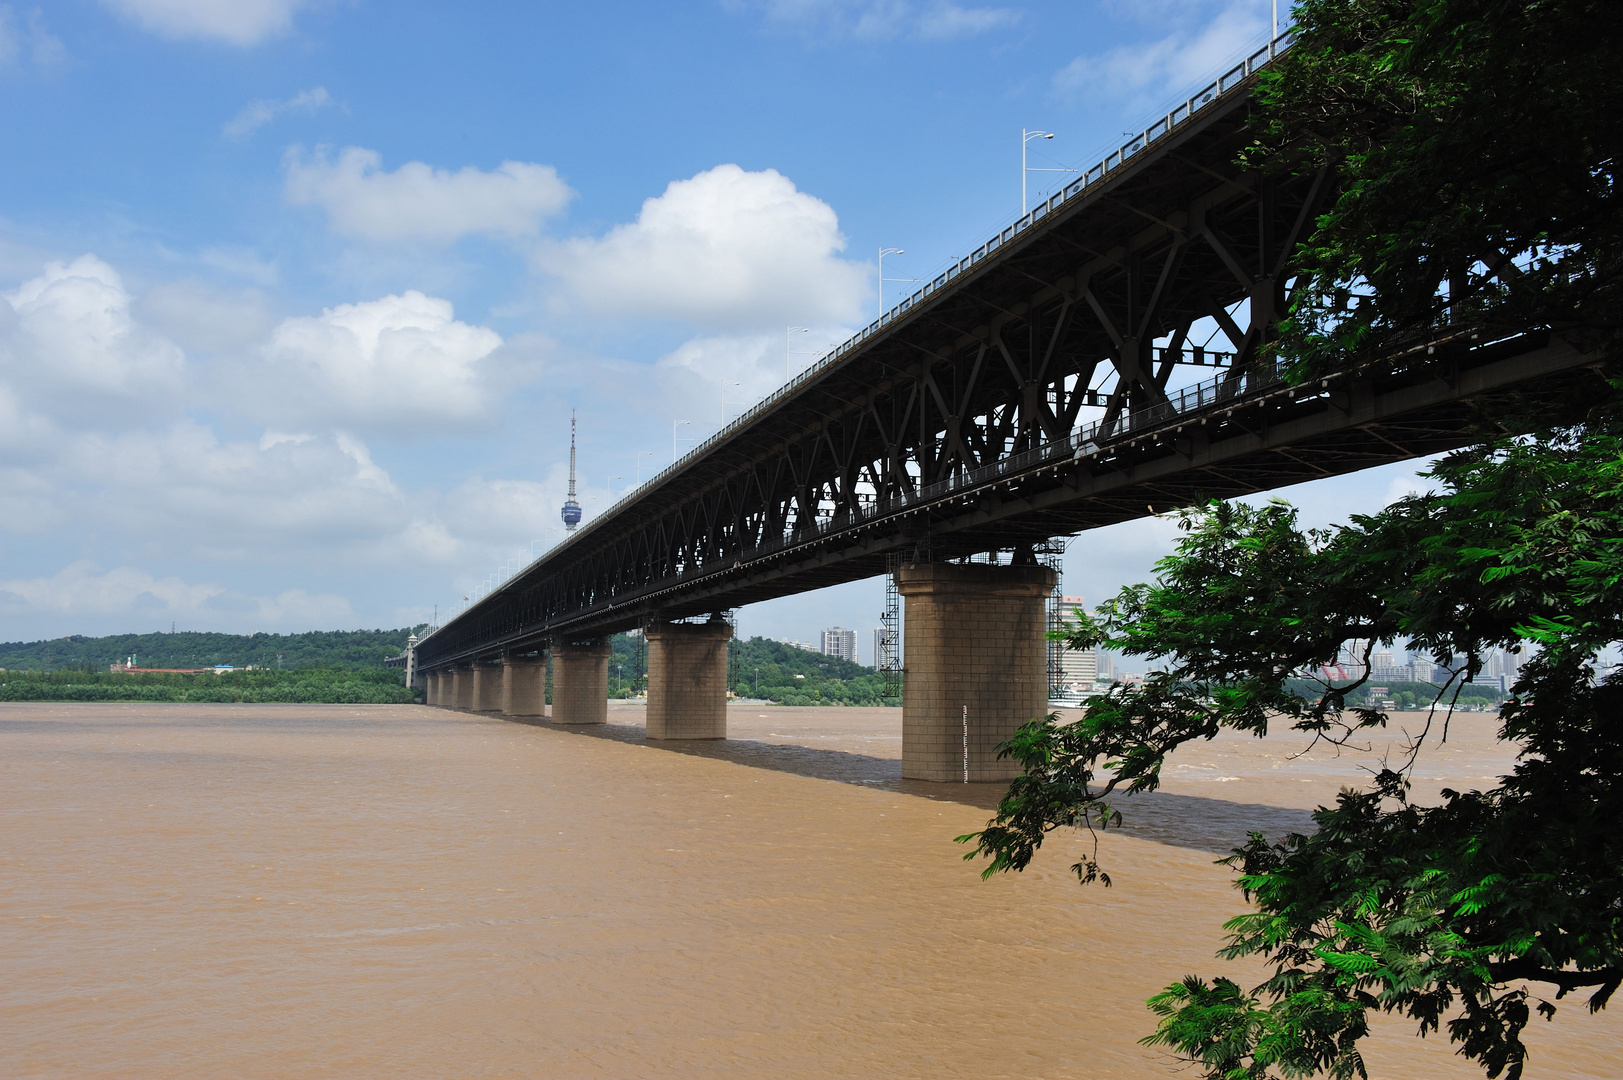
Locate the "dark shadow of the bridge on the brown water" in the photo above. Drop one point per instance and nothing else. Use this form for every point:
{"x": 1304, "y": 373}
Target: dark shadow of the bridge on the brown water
{"x": 1184, "y": 821}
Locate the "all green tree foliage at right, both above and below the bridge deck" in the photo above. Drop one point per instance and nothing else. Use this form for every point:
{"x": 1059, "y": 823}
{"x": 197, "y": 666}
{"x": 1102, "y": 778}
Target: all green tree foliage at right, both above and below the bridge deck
{"x": 1474, "y": 147}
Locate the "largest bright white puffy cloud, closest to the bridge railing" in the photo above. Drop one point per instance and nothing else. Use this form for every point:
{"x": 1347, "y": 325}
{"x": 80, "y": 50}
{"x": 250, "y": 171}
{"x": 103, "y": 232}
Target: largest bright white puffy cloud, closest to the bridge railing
{"x": 726, "y": 249}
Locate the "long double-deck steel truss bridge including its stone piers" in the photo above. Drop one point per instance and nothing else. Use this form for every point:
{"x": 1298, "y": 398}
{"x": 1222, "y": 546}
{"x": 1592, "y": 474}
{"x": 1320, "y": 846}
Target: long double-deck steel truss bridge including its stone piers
{"x": 1044, "y": 386}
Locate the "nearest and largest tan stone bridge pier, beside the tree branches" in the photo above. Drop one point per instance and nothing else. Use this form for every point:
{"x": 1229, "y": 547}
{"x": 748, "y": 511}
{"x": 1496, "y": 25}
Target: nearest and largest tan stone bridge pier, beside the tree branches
{"x": 975, "y": 641}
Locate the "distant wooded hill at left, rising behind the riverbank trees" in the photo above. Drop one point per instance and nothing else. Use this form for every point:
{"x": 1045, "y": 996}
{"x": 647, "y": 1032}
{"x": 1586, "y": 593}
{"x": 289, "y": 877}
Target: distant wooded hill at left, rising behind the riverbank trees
{"x": 317, "y": 649}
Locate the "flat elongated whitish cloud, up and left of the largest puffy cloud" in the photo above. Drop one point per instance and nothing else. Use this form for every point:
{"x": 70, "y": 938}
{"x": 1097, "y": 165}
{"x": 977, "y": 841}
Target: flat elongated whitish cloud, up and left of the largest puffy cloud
{"x": 418, "y": 202}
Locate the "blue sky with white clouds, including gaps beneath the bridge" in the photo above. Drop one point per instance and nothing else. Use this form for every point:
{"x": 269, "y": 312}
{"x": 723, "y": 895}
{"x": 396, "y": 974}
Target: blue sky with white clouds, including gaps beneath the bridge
{"x": 296, "y": 298}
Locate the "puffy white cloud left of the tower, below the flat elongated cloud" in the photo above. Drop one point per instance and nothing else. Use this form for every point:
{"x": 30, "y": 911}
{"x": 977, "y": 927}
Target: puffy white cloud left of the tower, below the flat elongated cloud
{"x": 397, "y": 365}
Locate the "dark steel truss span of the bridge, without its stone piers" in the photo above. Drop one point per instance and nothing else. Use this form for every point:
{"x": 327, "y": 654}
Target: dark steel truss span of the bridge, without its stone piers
{"x": 1031, "y": 392}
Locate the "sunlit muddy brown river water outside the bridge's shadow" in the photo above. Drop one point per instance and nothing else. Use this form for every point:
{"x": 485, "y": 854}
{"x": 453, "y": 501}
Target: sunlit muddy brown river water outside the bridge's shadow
{"x": 407, "y": 892}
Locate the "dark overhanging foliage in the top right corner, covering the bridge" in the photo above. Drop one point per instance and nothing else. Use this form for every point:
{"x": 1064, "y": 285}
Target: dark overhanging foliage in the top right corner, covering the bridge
{"x": 1476, "y": 152}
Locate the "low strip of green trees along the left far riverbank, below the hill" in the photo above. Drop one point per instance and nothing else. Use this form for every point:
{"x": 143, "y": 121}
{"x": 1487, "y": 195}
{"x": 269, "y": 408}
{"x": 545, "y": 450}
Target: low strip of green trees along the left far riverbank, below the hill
{"x": 308, "y": 686}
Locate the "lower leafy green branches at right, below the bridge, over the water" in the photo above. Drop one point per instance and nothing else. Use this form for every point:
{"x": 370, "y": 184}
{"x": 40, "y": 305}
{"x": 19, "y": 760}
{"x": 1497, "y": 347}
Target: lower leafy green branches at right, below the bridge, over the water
{"x": 1437, "y": 914}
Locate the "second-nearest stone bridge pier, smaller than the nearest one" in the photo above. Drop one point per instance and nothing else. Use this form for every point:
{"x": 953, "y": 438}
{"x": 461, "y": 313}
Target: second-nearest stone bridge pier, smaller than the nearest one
{"x": 687, "y": 680}
